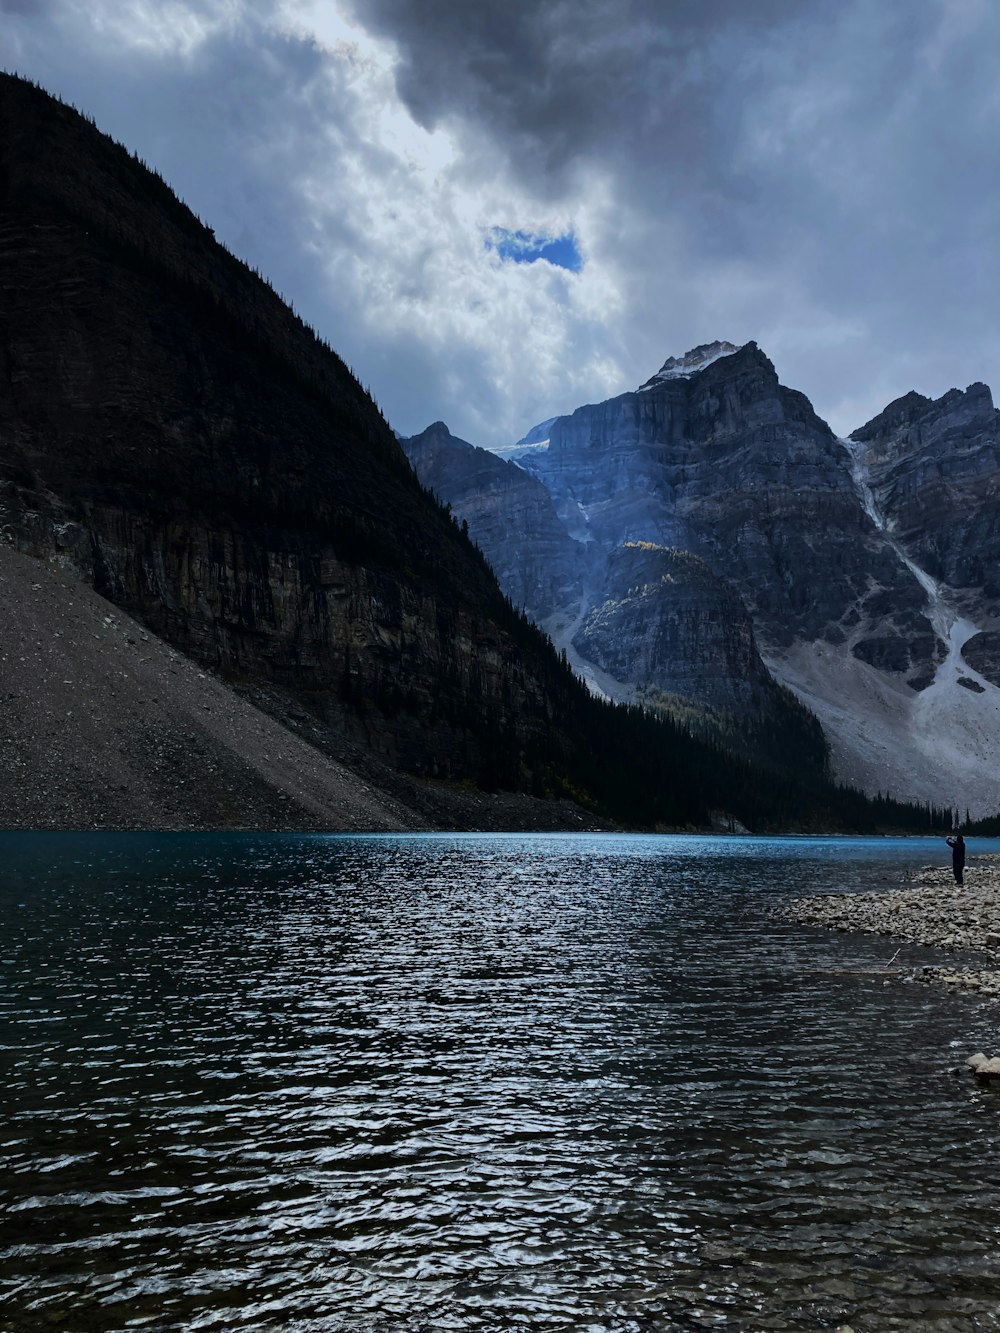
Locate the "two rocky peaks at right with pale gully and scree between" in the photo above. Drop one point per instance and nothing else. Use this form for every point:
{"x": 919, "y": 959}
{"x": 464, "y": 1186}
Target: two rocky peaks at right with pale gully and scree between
{"x": 858, "y": 575}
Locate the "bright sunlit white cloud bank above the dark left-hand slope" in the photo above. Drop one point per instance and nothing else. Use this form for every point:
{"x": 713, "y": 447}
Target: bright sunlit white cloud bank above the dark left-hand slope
{"x": 283, "y": 129}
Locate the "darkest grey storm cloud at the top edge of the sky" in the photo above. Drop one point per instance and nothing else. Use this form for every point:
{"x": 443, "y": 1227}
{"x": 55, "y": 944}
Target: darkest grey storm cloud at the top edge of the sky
{"x": 558, "y": 82}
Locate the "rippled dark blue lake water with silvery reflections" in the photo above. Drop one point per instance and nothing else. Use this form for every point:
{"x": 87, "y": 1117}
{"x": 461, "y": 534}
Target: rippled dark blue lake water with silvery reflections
{"x": 479, "y": 1083}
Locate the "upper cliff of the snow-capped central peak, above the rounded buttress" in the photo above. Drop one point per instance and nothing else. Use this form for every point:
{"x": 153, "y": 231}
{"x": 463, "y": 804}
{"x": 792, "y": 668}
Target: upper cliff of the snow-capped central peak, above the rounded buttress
{"x": 727, "y": 463}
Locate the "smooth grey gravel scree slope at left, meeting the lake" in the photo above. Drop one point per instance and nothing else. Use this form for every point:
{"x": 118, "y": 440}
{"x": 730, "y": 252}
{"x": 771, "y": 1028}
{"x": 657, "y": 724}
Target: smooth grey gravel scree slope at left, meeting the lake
{"x": 105, "y": 726}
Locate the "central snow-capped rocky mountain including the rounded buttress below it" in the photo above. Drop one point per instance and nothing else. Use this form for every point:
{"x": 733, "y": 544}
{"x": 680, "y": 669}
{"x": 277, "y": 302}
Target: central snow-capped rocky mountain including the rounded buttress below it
{"x": 749, "y": 497}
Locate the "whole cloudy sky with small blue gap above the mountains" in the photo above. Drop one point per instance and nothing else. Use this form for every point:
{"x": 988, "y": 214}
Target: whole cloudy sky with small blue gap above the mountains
{"x": 498, "y": 210}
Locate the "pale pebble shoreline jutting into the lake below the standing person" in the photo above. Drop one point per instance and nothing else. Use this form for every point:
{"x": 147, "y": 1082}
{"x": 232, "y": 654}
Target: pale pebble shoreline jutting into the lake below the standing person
{"x": 927, "y": 910}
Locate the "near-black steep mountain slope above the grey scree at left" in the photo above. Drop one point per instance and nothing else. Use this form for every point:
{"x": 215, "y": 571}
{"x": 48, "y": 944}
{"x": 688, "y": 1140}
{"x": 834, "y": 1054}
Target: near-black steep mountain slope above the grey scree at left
{"x": 170, "y": 429}
